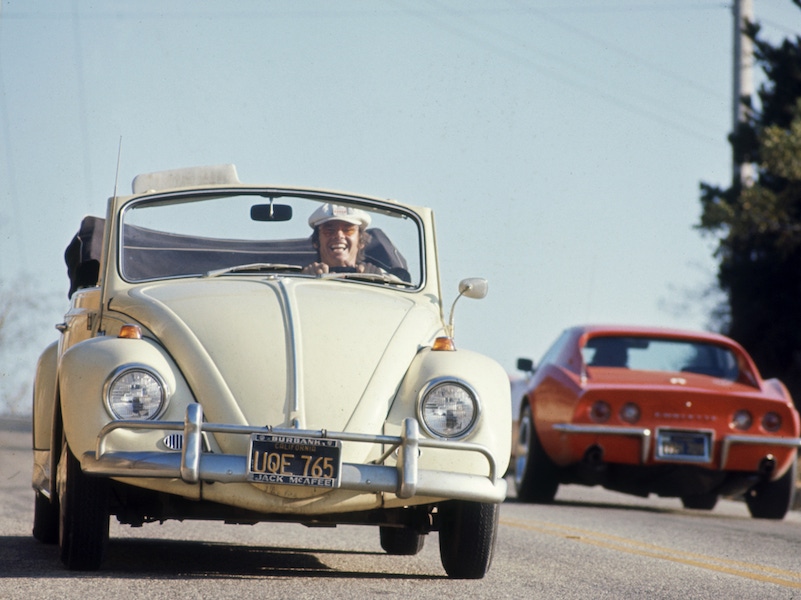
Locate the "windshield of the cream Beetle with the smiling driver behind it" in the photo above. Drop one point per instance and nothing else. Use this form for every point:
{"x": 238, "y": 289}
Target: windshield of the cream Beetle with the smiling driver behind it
{"x": 215, "y": 234}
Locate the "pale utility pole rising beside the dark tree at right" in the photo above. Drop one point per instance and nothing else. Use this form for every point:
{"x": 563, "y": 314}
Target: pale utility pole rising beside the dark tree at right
{"x": 743, "y": 173}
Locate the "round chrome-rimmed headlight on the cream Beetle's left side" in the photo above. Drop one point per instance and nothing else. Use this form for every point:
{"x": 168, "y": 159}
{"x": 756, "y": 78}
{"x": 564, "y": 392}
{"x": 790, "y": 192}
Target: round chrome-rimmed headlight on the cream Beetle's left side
{"x": 135, "y": 393}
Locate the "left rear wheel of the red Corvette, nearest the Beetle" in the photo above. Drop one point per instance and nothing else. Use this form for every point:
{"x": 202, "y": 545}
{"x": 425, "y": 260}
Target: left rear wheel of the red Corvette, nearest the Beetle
{"x": 536, "y": 476}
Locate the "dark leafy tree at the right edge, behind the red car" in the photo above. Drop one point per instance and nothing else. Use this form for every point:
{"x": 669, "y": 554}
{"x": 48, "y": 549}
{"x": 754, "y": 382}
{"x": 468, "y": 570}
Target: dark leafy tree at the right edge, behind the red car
{"x": 759, "y": 226}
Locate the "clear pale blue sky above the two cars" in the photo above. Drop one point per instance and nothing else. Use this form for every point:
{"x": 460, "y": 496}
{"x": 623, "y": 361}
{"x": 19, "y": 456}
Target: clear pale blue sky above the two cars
{"x": 561, "y": 143}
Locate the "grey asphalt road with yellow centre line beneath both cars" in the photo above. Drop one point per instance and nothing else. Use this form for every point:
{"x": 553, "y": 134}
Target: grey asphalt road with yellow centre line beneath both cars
{"x": 589, "y": 544}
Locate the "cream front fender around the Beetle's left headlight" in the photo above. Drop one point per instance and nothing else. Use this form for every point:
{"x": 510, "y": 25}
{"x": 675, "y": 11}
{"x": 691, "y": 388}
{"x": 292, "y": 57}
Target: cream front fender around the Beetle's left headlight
{"x": 88, "y": 366}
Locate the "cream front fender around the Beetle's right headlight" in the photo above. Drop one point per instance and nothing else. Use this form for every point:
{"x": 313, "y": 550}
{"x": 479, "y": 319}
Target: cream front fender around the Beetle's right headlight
{"x": 491, "y": 384}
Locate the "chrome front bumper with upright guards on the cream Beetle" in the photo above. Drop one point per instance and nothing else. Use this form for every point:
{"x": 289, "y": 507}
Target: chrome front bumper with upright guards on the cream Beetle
{"x": 193, "y": 465}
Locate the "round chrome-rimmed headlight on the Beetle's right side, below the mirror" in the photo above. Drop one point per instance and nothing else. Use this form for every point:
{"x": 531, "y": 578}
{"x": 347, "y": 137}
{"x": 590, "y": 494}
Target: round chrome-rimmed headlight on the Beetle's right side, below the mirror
{"x": 449, "y": 409}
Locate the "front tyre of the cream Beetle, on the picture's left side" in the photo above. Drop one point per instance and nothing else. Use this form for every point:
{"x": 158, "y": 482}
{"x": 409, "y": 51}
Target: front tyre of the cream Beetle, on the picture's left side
{"x": 83, "y": 515}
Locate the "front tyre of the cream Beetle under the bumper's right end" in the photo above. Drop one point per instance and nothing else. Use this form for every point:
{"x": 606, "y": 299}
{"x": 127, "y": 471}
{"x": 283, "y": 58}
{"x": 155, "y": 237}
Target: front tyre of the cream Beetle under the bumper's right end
{"x": 467, "y": 534}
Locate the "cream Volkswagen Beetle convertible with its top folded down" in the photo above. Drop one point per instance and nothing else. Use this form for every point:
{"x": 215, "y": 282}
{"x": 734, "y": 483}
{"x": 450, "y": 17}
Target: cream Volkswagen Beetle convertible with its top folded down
{"x": 210, "y": 368}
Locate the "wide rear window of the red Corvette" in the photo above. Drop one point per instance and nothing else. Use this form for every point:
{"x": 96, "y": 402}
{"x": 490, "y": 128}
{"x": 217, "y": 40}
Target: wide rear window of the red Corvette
{"x": 661, "y": 354}
